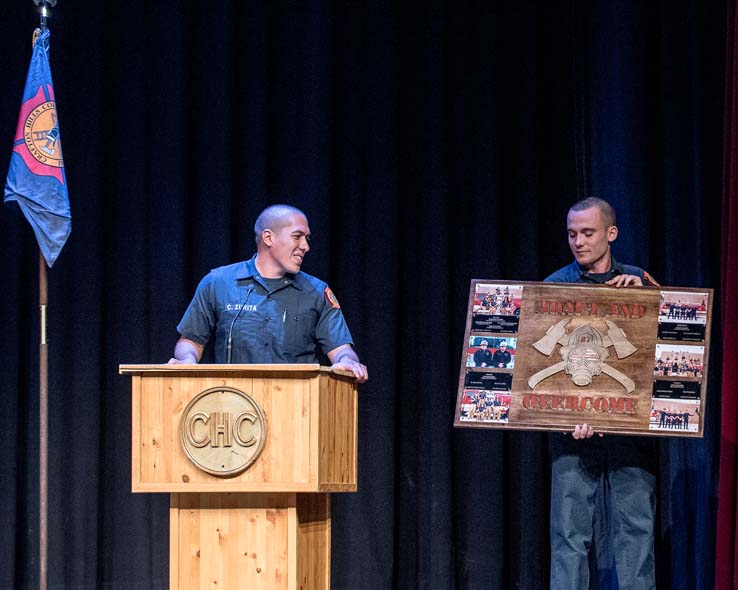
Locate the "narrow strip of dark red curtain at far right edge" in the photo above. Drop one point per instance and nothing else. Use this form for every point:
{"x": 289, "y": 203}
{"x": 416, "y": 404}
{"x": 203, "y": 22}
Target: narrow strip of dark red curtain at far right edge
{"x": 727, "y": 525}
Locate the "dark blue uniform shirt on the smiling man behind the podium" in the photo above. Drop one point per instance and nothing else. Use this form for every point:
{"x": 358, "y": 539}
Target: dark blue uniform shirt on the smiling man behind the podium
{"x": 280, "y": 321}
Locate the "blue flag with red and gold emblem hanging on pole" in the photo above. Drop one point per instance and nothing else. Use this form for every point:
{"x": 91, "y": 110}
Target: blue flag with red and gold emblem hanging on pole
{"x": 36, "y": 181}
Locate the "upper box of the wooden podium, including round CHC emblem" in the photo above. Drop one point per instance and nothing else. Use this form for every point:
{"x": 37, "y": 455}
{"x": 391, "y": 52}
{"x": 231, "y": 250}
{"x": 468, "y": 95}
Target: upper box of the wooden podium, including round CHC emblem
{"x": 242, "y": 428}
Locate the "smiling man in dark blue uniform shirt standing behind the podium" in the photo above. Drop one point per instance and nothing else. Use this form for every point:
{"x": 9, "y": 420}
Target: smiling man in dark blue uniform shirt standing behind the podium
{"x": 265, "y": 310}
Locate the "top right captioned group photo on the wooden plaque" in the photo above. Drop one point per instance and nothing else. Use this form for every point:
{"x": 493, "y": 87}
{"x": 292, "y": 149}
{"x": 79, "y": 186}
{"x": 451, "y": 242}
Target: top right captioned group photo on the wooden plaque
{"x": 682, "y": 315}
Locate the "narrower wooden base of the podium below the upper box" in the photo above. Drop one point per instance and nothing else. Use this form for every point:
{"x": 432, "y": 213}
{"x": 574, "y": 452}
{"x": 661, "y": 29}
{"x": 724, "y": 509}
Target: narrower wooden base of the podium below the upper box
{"x": 249, "y": 541}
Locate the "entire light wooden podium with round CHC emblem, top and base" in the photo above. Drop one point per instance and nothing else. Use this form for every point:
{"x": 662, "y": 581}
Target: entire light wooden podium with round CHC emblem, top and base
{"x": 269, "y": 525}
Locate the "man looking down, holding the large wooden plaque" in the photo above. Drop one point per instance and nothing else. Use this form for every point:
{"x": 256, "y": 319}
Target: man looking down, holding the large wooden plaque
{"x": 586, "y": 469}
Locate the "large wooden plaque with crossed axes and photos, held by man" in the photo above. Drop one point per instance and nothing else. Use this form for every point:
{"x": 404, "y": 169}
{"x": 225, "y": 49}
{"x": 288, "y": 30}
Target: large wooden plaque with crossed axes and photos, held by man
{"x": 548, "y": 356}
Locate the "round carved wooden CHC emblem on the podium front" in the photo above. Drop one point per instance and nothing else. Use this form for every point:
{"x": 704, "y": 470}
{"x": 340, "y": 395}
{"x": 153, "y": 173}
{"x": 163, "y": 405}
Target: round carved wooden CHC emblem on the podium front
{"x": 222, "y": 431}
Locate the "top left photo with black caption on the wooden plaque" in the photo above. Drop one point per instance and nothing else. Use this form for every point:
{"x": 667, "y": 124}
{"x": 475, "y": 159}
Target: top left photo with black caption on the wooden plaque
{"x": 496, "y": 308}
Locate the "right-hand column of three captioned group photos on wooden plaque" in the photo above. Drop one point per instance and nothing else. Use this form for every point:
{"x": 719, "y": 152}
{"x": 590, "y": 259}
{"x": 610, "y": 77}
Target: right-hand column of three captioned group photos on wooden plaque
{"x": 679, "y": 362}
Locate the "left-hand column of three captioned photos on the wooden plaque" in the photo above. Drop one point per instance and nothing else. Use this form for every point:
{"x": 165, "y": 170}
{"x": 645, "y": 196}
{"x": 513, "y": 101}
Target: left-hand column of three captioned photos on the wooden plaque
{"x": 490, "y": 353}
